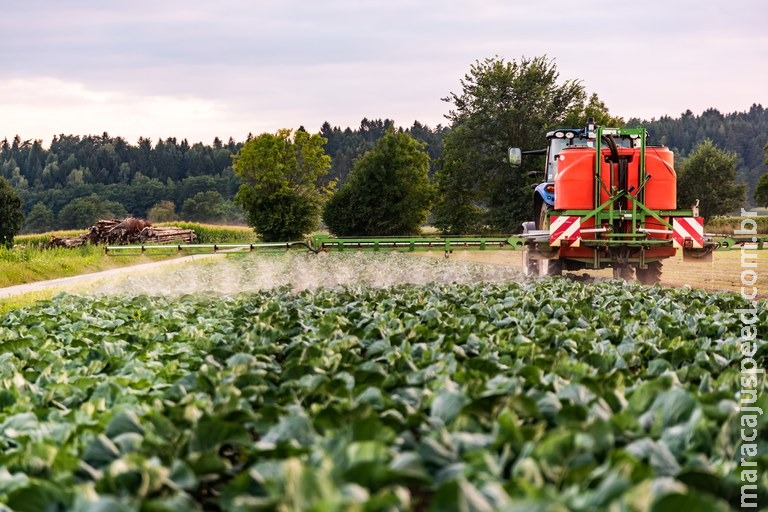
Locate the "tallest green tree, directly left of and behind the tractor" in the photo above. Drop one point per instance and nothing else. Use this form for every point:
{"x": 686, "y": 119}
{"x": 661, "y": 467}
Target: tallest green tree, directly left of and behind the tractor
{"x": 501, "y": 104}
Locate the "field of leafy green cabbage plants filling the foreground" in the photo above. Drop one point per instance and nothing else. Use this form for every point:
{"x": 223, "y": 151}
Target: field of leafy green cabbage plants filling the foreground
{"x": 474, "y": 392}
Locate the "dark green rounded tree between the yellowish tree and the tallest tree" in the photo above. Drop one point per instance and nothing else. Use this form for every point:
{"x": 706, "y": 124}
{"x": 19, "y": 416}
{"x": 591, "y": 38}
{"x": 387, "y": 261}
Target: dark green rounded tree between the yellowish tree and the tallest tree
{"x": 387, "y": 193}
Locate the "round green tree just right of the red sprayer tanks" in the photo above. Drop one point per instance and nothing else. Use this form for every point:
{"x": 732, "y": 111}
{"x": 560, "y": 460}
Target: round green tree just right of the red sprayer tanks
{"x": 709, "y": 176}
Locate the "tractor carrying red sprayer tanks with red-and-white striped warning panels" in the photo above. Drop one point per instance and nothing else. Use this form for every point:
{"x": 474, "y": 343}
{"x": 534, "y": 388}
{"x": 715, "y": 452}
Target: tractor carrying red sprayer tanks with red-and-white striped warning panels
{"x": 609, "y": 200}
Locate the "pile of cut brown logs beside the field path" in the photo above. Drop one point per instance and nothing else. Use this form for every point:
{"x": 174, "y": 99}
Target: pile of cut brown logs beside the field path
{"x": 124, "y": 232}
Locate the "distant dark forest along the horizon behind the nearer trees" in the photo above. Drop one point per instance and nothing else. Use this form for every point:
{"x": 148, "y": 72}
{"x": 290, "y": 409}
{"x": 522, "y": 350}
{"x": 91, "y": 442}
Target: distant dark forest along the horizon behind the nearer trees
{"x": 79, "y": 178}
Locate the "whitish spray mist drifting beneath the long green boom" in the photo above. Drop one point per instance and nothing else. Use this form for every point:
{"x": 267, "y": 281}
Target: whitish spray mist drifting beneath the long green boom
{"x": 301, "y": 271}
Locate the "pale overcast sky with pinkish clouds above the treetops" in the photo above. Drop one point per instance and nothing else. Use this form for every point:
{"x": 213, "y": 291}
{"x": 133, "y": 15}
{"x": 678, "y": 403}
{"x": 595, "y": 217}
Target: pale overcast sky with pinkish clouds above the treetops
{"x": 200, "y": 69}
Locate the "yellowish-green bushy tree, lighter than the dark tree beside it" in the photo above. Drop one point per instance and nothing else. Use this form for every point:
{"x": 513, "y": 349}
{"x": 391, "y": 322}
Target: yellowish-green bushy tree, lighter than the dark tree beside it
{"x": 281, "y": 192}
